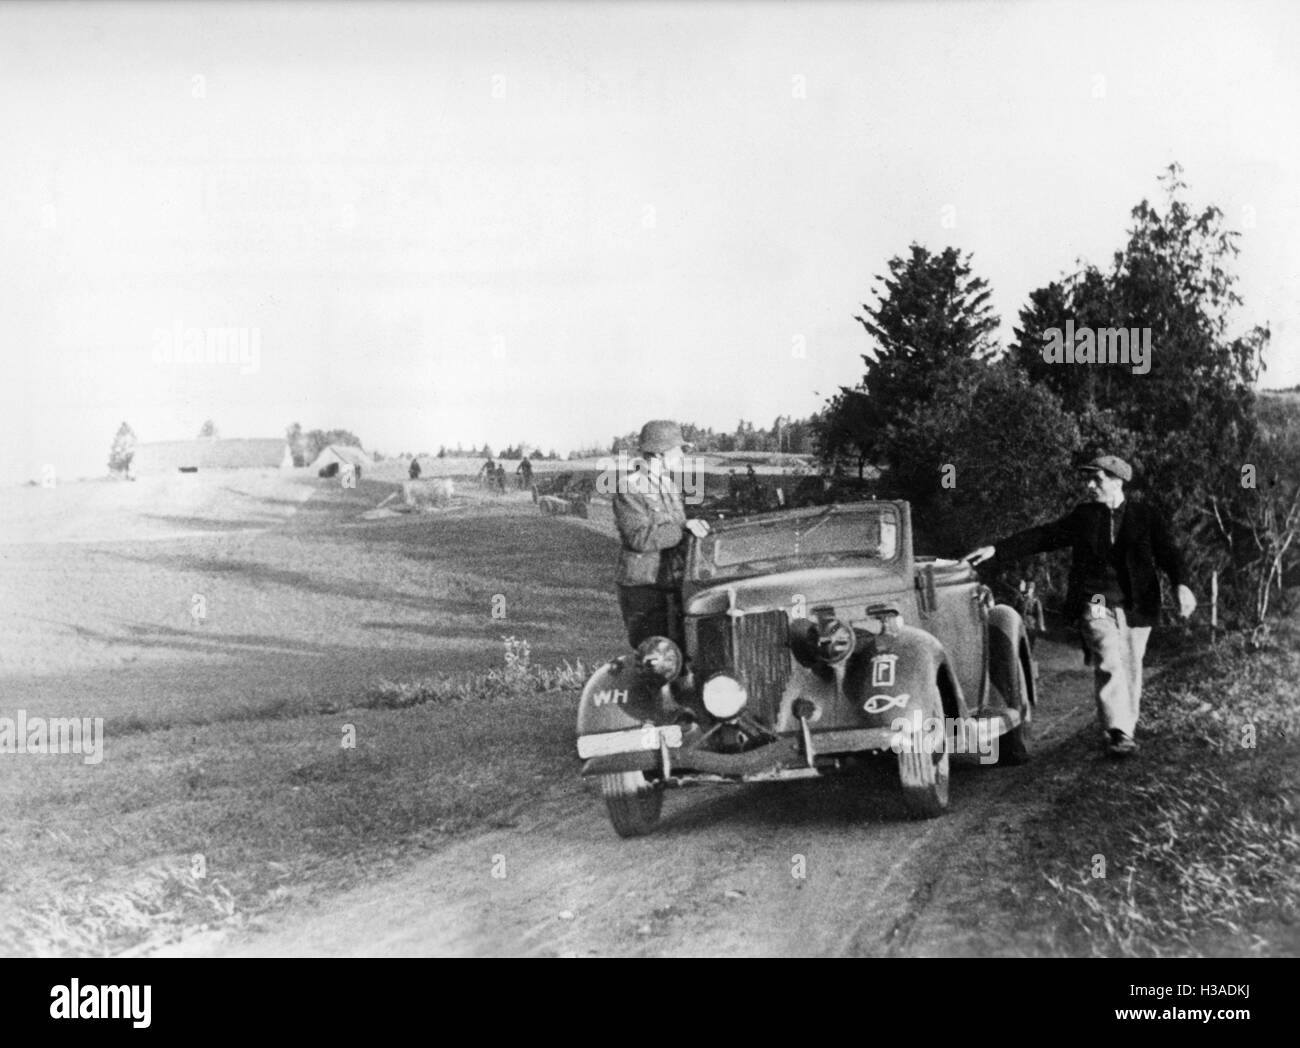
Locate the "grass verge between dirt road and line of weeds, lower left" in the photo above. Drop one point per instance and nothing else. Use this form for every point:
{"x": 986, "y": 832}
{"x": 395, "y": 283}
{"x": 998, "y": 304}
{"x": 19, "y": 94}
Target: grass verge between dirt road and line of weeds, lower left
{"x": 194, "y": 829}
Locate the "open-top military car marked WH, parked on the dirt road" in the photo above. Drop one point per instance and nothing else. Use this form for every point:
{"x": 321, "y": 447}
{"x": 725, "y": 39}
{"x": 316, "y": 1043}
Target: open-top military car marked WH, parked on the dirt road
{"x": 814, "y": 639}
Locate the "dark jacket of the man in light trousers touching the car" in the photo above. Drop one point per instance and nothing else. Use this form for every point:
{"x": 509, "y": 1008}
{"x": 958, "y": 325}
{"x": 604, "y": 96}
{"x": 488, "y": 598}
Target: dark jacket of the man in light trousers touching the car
{"x": 1145, "y": 538}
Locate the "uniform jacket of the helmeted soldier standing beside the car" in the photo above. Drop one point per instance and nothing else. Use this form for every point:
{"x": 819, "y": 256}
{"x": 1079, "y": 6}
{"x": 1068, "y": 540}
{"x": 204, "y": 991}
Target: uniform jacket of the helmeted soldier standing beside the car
{"x": 652, "y": 522}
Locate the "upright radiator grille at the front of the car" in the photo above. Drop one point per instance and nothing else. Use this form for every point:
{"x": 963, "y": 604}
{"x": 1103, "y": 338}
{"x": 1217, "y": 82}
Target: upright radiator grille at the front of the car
{"x": 760, "y": 656}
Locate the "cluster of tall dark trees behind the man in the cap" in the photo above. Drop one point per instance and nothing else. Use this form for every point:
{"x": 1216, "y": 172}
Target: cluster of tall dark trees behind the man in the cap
{"x": 983, "y": 440}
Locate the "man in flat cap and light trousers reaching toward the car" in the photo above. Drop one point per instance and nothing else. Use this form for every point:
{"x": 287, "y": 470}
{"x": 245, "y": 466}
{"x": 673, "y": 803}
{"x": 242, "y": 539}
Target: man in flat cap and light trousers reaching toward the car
{"x": 1115, "y": 588}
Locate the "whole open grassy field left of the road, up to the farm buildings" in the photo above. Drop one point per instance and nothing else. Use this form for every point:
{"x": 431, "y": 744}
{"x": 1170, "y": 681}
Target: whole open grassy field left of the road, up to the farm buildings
{"x": 226, "y": 738}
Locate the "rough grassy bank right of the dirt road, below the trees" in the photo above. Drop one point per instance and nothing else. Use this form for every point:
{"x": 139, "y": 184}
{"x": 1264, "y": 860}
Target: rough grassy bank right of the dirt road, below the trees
{"x": 1193, "y": 848}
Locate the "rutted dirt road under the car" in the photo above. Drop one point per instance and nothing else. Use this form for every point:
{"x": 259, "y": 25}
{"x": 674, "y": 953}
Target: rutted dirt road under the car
{"x": 814, "y": 868}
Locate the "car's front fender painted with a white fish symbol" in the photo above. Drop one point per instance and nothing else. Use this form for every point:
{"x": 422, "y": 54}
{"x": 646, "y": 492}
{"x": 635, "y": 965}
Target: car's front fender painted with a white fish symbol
{"x": 895, "y": 674}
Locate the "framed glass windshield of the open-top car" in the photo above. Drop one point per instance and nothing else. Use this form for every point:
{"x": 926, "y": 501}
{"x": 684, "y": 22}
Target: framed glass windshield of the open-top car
{"x": 785, "y": 543}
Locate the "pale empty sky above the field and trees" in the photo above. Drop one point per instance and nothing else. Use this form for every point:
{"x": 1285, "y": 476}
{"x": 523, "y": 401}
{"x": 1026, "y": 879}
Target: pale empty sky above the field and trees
{"x": 549, "y": 223}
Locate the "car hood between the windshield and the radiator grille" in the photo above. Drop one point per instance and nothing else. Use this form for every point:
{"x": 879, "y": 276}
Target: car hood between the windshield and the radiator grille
{"x": 824, "y": 586}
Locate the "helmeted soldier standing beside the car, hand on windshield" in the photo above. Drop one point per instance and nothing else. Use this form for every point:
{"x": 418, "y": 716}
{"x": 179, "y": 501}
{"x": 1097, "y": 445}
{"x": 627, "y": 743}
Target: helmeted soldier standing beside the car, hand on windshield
{"x": 653, "y": 526}
